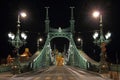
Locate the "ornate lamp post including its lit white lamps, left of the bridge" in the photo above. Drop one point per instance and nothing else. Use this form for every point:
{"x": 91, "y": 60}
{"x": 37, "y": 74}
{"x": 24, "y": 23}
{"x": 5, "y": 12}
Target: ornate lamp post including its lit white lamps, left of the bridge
{"x": 17, "y": 40}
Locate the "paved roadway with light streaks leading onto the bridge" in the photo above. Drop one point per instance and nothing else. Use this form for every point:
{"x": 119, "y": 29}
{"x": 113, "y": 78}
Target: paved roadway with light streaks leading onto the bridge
{"x": 57, "y": 73}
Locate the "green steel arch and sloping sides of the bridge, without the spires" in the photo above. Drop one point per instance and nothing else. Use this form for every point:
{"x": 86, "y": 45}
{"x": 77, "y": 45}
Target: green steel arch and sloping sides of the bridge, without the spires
{"x": 75, "y": 57}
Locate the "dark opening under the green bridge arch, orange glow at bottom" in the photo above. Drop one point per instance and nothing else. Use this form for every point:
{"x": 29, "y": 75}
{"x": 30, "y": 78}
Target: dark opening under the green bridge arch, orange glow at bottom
{"x": 59, "y": 47}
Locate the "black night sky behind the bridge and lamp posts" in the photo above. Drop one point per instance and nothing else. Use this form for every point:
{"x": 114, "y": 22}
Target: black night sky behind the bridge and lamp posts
{"x": 59, "y": 14}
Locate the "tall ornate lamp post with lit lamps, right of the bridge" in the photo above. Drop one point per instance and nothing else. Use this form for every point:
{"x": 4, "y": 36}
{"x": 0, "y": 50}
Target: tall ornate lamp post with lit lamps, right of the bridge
{"x": 101, "y": 41}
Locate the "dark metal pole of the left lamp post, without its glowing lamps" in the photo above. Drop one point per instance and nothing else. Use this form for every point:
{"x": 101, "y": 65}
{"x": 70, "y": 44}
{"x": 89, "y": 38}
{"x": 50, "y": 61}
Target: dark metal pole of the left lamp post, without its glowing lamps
{"x": 17, "y": 43}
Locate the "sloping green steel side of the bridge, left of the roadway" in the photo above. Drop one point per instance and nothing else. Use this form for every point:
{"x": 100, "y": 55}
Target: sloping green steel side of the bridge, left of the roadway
{"x": 43, "y": 58}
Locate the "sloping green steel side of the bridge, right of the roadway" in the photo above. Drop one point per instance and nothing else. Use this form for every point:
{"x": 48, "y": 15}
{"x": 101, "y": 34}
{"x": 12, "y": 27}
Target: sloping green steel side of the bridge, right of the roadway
{"x": 80, "y": 59}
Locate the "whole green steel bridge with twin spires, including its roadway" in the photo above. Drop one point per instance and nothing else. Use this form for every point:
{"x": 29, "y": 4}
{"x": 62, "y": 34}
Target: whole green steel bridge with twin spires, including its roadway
{"x": 75, "y": 66}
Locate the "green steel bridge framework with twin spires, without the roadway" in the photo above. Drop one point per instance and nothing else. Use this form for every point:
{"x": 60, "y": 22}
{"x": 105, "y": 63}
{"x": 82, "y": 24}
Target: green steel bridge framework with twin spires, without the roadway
{"x": 76, "y": 57}
